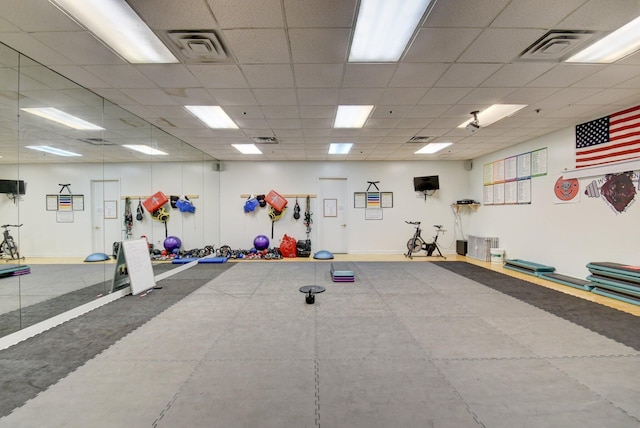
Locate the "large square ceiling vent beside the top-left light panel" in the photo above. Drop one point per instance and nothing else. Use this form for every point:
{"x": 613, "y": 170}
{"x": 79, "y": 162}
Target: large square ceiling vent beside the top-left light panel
{"x": 202, "y": 46}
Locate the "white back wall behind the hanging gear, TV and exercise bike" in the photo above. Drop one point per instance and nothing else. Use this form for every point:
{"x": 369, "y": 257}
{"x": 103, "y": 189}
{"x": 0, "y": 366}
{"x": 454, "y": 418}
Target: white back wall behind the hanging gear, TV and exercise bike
{"x": 388, "y": 235}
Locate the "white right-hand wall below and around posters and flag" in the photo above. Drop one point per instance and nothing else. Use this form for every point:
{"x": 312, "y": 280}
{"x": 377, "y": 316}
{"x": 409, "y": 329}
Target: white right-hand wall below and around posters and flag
{"x": 565, "y": 236}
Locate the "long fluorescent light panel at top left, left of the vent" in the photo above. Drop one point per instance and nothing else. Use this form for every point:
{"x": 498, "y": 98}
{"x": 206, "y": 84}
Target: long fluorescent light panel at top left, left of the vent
{"x": 115, "y": 24}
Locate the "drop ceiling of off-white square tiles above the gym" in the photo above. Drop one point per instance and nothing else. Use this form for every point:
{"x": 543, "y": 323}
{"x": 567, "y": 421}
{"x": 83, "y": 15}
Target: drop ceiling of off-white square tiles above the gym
{"x": 284, "y": 72}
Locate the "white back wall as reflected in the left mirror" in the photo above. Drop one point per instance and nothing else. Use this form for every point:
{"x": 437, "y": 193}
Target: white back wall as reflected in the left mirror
{"x": 42, "y": 236}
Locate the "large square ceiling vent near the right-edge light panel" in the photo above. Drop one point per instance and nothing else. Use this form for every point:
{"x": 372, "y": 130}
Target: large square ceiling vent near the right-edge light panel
{"x": 557, "y": 45}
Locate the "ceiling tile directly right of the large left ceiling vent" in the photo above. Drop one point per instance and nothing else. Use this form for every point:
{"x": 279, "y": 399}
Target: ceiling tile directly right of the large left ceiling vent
{"x": 252, "y": 46}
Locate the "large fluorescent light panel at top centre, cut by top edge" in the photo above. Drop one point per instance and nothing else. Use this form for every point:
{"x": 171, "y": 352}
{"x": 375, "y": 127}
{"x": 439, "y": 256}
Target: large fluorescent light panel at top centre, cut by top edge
{"x": 383, "y": 29}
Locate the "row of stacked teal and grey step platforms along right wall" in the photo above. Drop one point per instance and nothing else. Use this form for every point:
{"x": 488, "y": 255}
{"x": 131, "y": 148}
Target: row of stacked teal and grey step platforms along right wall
{"x": 615, "y": 280}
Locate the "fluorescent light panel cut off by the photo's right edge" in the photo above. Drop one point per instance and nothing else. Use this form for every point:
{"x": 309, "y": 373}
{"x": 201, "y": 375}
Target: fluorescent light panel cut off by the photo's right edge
{"x": 622, "y": 42}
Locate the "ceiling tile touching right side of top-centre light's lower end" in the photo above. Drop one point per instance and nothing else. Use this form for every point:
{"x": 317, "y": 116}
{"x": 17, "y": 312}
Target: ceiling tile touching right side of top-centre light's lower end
{"x": 440, "y": 44}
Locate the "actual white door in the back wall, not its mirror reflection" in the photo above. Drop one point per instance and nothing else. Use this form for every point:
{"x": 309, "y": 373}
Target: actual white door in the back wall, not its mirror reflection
{"x": 332, "y": 232}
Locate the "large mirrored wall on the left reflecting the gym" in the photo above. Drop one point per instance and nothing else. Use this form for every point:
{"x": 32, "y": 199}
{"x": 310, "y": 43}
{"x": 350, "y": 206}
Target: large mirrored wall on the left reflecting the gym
{"x": 78, "y": 187}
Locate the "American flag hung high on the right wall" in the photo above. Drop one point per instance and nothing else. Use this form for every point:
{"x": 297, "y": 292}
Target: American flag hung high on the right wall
{"x": 609, "y": 139}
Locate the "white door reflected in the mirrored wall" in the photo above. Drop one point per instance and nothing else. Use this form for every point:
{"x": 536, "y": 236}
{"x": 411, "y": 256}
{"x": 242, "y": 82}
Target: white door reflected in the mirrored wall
{"x": 106, "y": 221}
